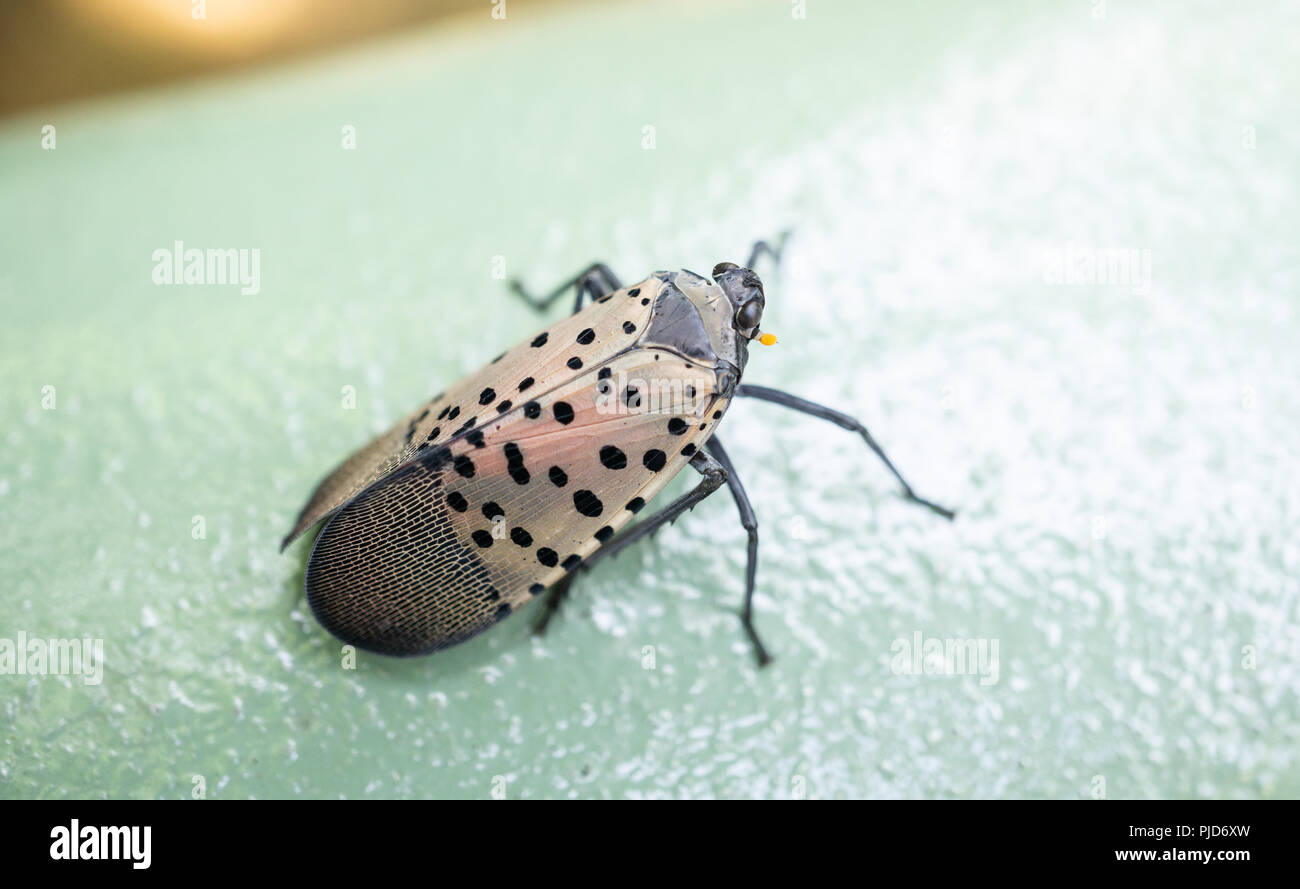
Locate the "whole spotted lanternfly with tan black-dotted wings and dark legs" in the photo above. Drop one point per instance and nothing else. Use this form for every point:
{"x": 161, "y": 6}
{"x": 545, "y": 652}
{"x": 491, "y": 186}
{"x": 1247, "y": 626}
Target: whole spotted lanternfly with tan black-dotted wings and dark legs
{"x": 506, "y": 485}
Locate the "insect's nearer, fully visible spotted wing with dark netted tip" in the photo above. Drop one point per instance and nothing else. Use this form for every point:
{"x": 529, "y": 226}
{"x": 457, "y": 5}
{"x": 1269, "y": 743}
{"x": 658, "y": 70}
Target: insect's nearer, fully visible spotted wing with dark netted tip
{"x": 471, "y": 530}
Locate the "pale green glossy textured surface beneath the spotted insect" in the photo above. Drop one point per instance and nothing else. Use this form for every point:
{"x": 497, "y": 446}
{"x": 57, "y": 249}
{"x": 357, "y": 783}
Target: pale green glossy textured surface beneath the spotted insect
{"x": 1121, "y": 454}
